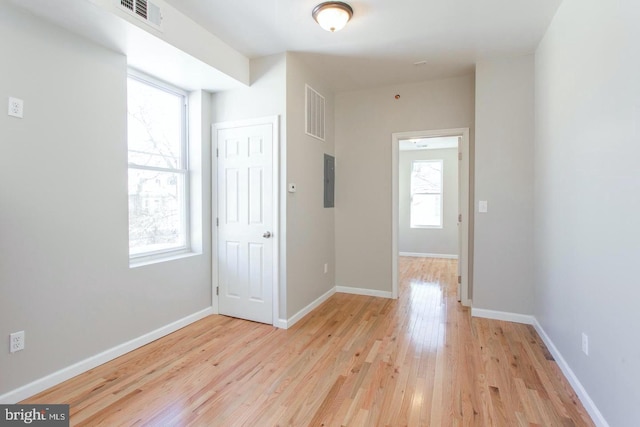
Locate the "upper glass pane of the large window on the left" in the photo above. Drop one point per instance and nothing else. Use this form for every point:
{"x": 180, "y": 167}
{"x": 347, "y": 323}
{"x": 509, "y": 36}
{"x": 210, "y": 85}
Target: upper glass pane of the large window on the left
{"x": 155, "y": 126}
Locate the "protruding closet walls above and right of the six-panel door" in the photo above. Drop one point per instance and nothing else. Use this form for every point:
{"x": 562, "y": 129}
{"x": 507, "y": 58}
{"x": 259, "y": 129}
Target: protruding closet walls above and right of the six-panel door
{"x": 278, "y": 87}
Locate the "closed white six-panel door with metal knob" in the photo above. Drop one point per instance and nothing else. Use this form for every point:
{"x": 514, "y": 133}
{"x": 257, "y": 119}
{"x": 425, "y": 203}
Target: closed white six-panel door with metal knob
{"x": 245, "y": 222}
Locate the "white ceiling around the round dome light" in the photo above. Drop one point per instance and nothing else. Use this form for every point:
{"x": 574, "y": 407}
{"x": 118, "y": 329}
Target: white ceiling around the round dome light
{"x": 385, "y": 37}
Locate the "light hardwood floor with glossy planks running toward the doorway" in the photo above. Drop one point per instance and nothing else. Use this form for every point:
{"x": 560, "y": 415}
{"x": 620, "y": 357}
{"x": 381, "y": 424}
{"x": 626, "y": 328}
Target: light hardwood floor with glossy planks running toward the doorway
{"x": 355, "y": 361}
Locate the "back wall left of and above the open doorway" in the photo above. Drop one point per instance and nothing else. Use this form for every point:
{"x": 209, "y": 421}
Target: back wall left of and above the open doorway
{"x": 365, "y": 120}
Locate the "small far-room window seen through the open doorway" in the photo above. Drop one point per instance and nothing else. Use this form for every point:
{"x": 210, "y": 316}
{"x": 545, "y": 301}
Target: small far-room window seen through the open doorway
{"x": 426, "y": 194}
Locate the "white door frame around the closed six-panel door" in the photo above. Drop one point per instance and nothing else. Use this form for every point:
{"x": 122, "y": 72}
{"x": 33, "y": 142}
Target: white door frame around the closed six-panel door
{"x": 274, "y": 121}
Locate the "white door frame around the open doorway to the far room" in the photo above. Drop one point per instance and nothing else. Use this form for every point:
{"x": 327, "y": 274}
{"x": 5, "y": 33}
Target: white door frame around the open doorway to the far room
{"x": 463, "y": 186}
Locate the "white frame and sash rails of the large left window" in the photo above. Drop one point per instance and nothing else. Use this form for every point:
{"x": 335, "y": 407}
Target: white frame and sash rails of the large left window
{"x": 151, "y": 257}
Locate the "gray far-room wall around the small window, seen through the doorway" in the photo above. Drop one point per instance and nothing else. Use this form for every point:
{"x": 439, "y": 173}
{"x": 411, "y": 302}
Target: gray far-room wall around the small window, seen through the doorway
{"x": 441, "y": 241}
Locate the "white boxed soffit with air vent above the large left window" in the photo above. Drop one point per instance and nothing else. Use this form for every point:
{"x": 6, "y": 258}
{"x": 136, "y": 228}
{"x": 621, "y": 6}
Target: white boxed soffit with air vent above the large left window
{"x": 181, "y": 52}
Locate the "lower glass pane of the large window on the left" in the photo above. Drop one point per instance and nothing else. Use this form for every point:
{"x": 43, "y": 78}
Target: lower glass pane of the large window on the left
{"x": 156, "y": 214}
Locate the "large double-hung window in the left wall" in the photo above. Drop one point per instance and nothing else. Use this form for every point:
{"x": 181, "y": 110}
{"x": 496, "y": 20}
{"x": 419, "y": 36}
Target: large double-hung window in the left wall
{"x": 158, "y": 174}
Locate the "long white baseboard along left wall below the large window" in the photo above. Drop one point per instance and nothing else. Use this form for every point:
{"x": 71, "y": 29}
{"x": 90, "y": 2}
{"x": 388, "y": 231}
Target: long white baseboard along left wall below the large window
{"x": 64, "y": 374}
